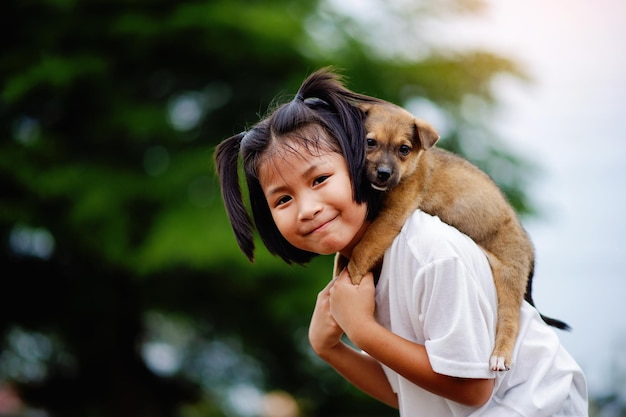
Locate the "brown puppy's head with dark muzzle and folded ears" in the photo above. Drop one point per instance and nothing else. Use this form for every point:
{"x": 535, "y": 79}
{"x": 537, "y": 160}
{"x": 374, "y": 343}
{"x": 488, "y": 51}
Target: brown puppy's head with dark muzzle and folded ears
{"x": 395, "y": 140}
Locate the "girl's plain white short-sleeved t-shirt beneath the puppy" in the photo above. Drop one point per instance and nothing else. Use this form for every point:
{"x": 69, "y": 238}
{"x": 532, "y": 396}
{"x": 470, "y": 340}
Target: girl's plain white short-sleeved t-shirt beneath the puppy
{"x": 436, "y": 289}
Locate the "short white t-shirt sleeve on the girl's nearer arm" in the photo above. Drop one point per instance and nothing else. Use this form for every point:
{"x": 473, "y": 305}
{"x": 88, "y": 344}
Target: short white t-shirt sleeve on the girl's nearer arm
{"x": 458, "y": 319}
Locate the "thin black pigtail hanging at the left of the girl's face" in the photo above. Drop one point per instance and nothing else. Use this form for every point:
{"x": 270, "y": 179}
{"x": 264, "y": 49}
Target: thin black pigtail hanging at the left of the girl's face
{"x": 226, "y": 163}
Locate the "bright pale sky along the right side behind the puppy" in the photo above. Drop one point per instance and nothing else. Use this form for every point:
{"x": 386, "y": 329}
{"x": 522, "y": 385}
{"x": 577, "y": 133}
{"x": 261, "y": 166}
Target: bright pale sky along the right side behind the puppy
{"x": 572, "y": 120}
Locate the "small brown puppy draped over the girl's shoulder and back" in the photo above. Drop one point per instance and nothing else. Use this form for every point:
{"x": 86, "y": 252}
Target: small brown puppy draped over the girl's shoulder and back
{"x": 402, "y": 161}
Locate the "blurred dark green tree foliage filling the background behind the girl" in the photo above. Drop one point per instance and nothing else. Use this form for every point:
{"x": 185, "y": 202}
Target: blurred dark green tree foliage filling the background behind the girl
{"x": 123, "y": 291}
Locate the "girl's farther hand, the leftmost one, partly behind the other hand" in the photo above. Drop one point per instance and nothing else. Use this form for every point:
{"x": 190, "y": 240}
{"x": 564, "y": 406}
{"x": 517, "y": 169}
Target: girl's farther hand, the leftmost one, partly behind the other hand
{"x": 324, "y": 332}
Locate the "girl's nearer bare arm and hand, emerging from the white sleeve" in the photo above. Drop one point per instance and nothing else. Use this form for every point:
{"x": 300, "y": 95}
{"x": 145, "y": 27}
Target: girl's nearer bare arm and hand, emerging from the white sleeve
{"x": 353, "y": 309}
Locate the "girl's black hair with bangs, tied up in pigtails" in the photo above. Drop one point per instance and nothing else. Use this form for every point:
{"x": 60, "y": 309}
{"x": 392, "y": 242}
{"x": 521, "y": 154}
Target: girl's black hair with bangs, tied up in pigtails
{"x": 321, "y": 101}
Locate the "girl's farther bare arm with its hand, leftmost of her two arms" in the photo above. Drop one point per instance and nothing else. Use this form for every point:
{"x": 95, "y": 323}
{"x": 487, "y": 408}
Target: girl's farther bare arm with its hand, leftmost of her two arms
{"x": 360, "y": 369}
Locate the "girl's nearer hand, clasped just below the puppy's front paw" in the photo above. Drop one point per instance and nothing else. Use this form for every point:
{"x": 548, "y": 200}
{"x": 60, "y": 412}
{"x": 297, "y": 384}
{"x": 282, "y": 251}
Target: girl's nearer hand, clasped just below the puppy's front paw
{"x": 352, "y": 306}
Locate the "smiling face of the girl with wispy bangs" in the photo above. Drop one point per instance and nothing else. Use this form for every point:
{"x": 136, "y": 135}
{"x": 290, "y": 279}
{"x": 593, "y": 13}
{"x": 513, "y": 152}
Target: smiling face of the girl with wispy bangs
{"x": 309, "y": 194}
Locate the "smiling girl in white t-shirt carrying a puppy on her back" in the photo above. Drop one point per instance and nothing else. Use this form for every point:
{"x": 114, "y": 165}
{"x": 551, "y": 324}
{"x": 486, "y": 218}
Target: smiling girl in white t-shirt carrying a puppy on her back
{"x": 425, "y": 324}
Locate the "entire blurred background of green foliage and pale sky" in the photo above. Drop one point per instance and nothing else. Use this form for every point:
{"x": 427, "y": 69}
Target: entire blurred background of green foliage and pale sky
{"x": 123, "y": 292}
